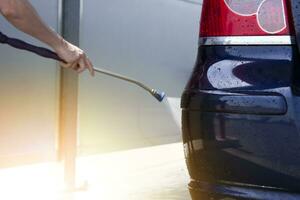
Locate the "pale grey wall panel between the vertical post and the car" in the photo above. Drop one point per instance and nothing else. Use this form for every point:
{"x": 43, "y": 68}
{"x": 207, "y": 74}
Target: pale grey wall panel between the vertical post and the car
{"x": 154, "y": 41}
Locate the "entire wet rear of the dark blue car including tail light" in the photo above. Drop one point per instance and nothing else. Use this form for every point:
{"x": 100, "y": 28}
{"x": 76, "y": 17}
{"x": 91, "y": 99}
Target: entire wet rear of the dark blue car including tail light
{"x": 241, "y": 106}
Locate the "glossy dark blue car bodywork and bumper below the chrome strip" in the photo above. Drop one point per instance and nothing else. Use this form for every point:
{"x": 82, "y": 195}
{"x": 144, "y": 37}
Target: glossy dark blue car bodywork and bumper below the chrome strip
{"x": 241, "y": 119}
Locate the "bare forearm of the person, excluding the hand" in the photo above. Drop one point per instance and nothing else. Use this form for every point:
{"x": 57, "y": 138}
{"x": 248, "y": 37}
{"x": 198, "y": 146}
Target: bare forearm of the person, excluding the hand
{"x": 23, "y": 16}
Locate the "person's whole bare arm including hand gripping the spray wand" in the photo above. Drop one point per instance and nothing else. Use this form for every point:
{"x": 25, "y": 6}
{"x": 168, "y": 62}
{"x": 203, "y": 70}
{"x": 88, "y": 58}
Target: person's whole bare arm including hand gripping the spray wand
{"x": 23, "y": 16}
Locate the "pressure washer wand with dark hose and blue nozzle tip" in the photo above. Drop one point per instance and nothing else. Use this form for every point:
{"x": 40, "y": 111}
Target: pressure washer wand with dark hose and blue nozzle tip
{"x": 19, "y": 44}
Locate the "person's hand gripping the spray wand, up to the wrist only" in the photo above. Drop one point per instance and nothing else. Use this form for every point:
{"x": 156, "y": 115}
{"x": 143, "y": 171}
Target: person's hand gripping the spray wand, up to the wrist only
{"x": 74, "y": 57}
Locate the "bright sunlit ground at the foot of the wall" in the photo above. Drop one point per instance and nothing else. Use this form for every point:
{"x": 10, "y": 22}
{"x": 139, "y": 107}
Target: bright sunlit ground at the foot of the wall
{"x": 152, "y": 173}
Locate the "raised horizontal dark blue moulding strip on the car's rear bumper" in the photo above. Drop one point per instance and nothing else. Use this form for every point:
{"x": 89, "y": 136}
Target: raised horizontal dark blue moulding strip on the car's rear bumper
{"x": 251, "y": 102}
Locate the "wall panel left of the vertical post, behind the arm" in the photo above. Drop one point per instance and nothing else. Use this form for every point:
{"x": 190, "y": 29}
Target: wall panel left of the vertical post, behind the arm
{"x": 29, "y": 97}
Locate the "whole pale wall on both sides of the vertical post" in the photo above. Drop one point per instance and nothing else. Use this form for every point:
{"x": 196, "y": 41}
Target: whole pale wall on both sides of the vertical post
{"x": 154, "y": 41}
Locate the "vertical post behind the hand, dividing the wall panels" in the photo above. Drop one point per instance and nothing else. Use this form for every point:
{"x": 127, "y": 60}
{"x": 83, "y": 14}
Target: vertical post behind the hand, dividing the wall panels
{"x": 69, "y": 95}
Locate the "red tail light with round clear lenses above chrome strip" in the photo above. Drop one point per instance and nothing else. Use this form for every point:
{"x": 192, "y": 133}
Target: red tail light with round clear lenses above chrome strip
{"x": 244, "y": 18}
